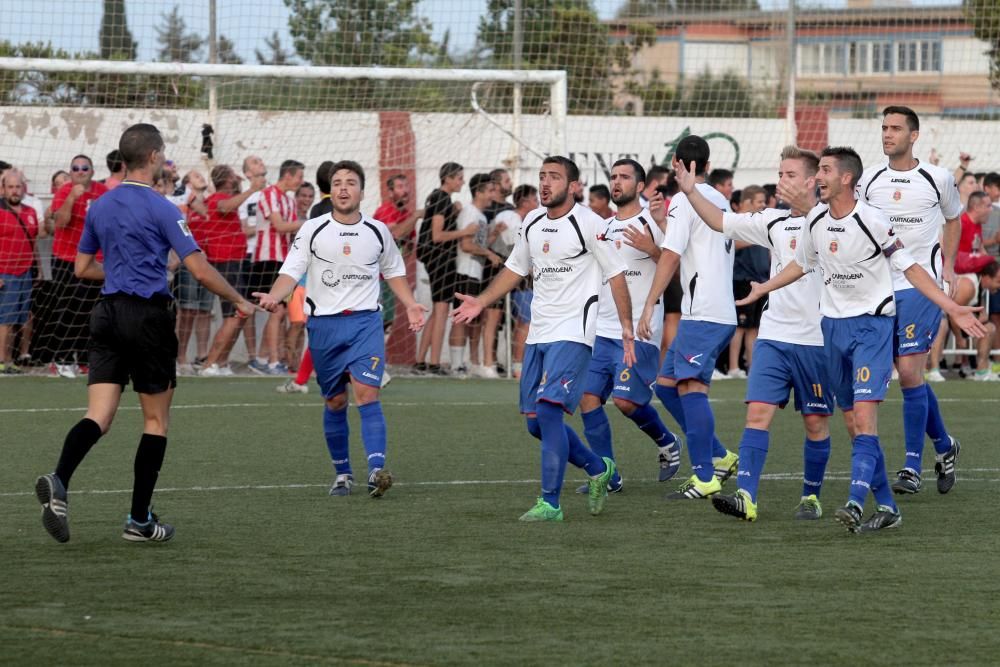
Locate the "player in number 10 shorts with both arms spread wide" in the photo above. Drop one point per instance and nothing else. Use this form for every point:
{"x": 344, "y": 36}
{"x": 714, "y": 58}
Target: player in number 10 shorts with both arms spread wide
{"x": 853, "y": 246}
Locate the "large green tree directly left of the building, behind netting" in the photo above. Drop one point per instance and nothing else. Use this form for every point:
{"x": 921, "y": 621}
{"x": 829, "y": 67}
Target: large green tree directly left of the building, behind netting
{"x": 560, "y": 34}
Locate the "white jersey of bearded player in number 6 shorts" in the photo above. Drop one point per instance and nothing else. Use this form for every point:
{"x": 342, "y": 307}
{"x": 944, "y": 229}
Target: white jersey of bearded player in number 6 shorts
{"x": 638, "y": 275}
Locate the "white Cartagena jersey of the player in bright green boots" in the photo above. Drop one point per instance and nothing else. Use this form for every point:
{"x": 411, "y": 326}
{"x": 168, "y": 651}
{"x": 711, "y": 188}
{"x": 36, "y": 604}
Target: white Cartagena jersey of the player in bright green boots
{"x": 568, "y": 264}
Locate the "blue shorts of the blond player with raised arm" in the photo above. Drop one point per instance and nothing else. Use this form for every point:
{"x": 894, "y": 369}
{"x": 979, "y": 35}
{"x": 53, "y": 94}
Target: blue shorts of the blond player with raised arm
{"x": 780, "y": 367}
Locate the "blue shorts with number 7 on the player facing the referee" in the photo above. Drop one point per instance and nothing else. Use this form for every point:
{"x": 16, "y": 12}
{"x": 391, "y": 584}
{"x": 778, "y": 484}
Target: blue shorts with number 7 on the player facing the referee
{"x": 345, "y": 347}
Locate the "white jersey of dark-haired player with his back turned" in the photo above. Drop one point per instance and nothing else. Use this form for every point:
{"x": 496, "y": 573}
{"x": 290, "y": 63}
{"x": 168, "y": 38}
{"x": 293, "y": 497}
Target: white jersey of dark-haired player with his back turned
{"x": 706, "y": 260}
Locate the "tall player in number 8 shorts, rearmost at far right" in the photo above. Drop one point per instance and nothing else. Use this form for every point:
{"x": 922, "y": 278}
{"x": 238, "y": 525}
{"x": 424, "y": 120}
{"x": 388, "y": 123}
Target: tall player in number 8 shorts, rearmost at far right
{"x": 918, "y": 198}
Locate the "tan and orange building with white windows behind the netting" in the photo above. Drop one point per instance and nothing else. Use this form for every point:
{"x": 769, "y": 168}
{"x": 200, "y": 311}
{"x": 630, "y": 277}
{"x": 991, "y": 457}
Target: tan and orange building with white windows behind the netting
{"x": 851, "y": 61}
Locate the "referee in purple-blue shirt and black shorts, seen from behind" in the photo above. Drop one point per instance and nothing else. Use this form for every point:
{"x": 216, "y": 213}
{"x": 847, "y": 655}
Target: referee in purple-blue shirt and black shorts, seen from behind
{"x": 131, "y": 328}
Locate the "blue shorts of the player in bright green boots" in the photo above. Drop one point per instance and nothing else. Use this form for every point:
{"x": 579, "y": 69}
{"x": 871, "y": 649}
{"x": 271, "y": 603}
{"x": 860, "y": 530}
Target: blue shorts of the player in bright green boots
{"x": 555, "y": 373}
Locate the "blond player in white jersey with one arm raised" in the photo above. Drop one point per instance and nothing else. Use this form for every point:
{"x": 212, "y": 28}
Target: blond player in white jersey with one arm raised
{"x": 788, "y": 353}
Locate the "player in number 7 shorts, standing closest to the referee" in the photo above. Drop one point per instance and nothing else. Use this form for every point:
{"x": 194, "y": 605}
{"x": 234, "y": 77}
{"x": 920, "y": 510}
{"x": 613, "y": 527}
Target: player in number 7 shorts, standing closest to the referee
{"x": 341, "y": 254}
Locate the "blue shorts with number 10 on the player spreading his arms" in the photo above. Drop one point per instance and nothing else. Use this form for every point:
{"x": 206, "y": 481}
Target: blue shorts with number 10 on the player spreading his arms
{"x": 859, "y": 357}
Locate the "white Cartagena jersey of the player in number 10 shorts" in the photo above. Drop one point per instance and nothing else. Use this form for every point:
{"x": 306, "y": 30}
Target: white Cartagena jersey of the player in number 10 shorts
{"x": 855, "y": 256}
